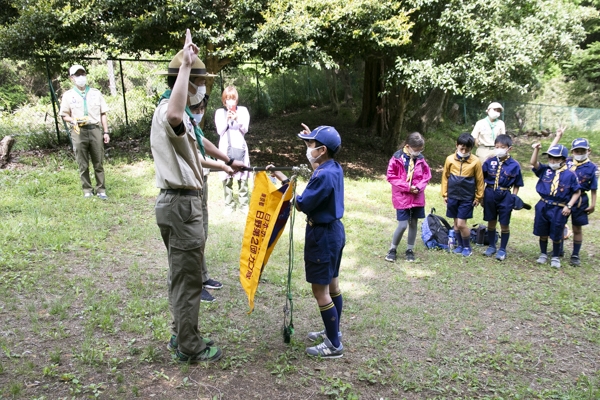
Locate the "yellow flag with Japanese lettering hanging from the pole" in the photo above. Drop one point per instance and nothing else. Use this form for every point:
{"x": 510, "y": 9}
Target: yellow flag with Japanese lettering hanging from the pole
{"x": 267, "y": 216}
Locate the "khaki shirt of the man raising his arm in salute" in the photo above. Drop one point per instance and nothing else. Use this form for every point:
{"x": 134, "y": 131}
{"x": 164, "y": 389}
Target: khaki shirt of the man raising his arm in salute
{"x": 176, "y": 158}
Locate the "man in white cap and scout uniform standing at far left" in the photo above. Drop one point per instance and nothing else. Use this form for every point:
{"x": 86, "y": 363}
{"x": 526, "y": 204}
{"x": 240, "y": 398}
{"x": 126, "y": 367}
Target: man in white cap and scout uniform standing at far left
{"x": 85, "y": 110}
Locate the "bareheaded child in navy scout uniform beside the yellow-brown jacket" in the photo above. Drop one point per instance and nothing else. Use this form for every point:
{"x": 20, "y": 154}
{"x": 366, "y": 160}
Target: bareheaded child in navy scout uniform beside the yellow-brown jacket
{"x": 501, "y": 174}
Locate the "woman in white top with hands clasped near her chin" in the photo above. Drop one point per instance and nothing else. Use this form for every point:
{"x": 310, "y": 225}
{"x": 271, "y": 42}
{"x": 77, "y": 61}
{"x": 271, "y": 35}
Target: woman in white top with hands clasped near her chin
{"x": 232, "y": 124}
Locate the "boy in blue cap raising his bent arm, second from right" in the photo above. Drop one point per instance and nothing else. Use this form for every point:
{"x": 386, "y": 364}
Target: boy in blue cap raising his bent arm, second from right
{"x": 559, "y": 188}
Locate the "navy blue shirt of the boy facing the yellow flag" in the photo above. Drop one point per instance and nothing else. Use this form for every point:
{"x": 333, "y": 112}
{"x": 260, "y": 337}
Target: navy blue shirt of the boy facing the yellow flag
{"x": 323, "y": 199}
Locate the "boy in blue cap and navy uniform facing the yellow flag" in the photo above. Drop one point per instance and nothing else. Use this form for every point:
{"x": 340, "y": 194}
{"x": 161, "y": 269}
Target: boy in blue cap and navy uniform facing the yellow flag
{"x": 323, "y": 203}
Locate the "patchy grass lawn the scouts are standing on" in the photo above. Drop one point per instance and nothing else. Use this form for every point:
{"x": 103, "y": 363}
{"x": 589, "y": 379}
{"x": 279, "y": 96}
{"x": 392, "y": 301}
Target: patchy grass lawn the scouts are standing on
{"x": 83, "y": 298}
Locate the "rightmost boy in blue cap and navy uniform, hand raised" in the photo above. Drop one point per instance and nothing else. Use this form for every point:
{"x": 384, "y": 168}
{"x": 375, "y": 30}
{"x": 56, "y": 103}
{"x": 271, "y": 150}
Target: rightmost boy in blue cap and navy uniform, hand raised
{"x": 587, "y": 174}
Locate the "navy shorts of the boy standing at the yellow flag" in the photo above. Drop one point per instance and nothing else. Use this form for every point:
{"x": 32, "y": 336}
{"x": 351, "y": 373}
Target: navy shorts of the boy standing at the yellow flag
{"x": 323, "y": 247}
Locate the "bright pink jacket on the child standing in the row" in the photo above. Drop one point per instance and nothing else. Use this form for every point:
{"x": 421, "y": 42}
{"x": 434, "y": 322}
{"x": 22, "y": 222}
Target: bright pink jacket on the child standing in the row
{"x": 396, "y": 175}
